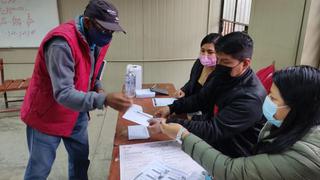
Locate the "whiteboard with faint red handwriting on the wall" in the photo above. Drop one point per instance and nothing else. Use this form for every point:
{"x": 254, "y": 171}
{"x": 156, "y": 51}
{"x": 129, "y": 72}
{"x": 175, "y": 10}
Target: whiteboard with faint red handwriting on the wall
{"x": 24, "y": 23}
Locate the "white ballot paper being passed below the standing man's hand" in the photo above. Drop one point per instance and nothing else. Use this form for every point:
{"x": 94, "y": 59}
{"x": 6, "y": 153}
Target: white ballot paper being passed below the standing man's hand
{"x": 135, "y": 113}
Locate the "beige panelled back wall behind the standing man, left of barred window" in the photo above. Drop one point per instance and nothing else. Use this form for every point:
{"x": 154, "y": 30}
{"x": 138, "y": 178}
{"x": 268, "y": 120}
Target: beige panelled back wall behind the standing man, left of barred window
{"x": 162, "y": 35}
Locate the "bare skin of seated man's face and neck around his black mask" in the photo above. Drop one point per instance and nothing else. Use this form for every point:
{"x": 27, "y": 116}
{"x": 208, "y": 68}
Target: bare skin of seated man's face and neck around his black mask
{"x": 238, "y": 67}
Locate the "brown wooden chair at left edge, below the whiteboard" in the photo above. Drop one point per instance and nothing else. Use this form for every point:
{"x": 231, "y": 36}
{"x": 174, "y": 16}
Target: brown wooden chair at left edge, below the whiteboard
{"x": 11, "y": 85}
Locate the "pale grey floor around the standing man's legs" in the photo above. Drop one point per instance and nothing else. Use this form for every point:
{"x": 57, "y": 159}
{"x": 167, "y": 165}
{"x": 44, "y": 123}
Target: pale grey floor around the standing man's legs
{"x": 14, "y": 152}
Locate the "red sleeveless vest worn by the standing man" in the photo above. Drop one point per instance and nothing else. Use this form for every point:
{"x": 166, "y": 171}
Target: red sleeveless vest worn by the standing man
{"x": 39, "y": 109}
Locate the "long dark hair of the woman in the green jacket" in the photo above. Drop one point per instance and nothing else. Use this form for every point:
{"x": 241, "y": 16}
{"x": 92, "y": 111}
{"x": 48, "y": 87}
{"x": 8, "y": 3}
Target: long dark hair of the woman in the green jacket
{"x": 299, "y": 87}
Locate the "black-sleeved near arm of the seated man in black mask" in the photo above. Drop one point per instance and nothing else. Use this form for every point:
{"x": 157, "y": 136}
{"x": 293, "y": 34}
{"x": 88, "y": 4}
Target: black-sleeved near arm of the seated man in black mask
{"x": 232, "y": 119}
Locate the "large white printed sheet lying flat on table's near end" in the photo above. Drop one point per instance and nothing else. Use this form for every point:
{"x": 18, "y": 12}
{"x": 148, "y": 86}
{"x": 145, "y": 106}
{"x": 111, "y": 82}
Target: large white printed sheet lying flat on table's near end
{"x": 135, "y": 158}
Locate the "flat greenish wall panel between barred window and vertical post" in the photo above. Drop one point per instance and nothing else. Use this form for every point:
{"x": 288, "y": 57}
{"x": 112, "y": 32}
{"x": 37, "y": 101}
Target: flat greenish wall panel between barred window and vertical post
{"x": 275, "y": 27}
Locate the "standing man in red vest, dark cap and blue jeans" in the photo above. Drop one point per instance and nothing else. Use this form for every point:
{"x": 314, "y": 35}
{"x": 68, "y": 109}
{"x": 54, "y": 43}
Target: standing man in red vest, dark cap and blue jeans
{"x": 65, "y": 86}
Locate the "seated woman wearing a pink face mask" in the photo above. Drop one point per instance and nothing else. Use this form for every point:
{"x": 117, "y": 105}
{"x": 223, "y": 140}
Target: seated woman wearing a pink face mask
{"x": 202, "y": 68}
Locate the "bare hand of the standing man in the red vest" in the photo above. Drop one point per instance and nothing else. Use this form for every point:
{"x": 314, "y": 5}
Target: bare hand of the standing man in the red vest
{"x": 118, "y": 101}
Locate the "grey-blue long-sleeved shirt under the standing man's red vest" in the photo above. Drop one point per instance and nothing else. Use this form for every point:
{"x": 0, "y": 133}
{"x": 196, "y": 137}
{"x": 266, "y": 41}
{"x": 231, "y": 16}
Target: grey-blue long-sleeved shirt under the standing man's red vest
{"x": 61, "y": 68}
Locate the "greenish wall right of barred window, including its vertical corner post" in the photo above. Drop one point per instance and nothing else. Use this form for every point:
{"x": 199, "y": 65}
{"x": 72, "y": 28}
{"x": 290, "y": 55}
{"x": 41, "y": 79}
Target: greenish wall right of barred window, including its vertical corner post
{"x": 285, "y": 31}
